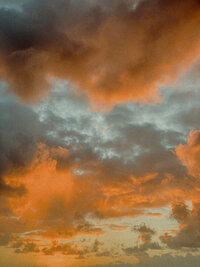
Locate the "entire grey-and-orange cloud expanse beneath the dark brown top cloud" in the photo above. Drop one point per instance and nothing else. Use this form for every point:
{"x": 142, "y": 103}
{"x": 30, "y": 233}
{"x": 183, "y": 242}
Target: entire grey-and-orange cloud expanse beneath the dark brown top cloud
{"x": 89, "y": 176}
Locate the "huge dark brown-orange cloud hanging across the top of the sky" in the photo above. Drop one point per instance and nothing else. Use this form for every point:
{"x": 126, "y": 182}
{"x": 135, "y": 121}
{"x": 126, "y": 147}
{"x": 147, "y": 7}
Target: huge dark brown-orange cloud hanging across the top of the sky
{"x": 117, "y": 44}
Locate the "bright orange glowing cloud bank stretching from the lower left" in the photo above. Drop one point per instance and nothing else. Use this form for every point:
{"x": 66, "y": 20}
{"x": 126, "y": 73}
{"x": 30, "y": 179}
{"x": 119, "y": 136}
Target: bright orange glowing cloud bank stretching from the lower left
{"x": 57, "y": 202}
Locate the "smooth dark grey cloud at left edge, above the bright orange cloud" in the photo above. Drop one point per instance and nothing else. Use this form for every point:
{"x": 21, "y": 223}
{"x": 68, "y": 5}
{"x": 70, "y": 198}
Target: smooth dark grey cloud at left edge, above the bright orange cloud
{"x": 20, "y": 132}
